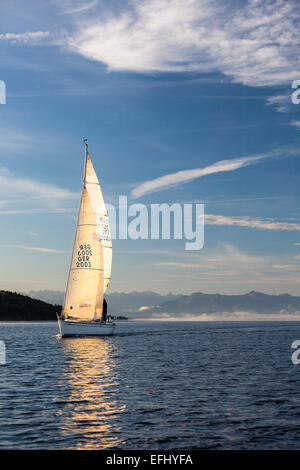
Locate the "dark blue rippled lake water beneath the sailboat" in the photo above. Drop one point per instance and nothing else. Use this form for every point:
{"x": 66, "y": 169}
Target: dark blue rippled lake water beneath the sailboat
{"x": 154, "y": 385}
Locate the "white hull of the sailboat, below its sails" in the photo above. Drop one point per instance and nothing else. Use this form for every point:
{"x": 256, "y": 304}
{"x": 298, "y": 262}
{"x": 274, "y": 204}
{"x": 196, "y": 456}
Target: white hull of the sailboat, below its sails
{"x": 76, "y": 328}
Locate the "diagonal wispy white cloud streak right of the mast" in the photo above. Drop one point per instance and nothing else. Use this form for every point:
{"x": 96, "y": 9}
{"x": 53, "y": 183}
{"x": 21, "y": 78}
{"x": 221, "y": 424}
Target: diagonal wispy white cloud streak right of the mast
{"x": 184, "y": 176}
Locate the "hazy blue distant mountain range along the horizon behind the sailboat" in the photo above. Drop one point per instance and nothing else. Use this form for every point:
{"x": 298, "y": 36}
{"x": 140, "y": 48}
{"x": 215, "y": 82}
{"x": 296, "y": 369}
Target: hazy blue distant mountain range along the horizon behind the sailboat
{"x": 153, "y": 305}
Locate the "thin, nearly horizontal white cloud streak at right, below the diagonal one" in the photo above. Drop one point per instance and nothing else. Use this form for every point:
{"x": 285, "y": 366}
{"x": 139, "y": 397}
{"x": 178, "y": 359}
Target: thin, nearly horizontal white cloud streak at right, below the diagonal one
{"x": 263, "y": 224}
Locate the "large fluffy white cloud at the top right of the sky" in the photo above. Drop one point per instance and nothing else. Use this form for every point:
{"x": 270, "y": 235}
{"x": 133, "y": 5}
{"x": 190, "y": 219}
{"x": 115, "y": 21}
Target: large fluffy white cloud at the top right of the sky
{"x": 255, "y": 43}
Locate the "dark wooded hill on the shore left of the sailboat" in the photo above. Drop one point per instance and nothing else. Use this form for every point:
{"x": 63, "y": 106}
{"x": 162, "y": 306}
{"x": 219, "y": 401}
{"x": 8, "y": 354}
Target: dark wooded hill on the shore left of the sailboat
{"x": 17, "y": 307}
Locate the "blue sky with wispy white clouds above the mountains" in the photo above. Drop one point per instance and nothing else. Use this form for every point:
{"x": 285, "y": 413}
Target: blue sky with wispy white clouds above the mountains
{"x": 182, "y": 102}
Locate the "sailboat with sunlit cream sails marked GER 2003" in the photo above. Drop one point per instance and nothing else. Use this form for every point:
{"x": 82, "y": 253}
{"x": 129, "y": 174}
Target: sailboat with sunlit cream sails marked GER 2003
{"x": 90, "y": 269}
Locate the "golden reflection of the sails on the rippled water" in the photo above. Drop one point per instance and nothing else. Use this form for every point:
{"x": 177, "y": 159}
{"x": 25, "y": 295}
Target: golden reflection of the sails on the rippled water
{"x": 90, "y": 415}
